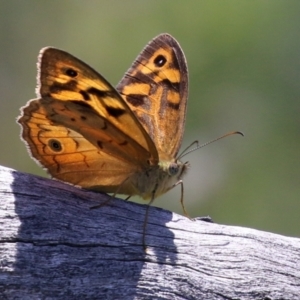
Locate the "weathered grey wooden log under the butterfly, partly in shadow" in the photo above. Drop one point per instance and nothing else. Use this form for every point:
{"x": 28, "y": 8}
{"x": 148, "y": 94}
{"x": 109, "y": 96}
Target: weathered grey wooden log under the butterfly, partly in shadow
{"x": 53, "y": 246}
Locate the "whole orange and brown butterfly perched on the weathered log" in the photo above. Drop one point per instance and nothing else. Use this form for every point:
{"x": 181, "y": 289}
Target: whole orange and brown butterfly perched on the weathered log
{"x": 122, "y": 140}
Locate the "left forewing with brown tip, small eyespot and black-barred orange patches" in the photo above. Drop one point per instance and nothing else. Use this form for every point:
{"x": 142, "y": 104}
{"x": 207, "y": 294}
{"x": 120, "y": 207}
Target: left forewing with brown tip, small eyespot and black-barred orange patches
{"x": 66, "y": 78}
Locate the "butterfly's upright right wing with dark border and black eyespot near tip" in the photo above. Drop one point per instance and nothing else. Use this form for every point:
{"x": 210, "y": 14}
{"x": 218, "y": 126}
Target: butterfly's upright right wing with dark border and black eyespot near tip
{"x": 156, "y": 89}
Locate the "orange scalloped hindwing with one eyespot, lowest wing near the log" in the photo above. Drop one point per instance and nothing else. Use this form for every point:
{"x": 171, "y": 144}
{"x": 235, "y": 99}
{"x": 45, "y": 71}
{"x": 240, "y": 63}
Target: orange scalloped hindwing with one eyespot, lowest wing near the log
{"x": 69, "y": 156}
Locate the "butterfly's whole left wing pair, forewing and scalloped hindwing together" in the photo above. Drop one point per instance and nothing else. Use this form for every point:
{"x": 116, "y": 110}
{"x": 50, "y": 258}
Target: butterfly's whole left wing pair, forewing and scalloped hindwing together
{"x": 80, "y": 115}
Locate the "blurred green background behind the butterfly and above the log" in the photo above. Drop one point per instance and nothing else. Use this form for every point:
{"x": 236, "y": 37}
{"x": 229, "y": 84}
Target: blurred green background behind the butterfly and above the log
{"x": 244, "y": 69}
